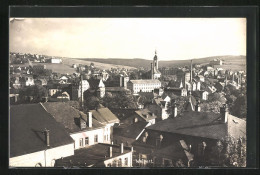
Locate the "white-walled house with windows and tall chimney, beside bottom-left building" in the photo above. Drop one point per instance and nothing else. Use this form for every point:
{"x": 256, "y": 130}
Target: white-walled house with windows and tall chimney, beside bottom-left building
{"x": 85, "y": 129}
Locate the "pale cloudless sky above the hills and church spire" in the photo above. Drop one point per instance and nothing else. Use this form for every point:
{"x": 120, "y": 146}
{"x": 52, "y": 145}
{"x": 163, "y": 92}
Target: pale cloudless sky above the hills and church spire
{"x": 172, "y": 38}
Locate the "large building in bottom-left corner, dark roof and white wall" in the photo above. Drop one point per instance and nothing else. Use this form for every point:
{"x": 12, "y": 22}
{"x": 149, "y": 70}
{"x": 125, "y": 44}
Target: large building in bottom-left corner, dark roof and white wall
{"x": 36, "y": 139}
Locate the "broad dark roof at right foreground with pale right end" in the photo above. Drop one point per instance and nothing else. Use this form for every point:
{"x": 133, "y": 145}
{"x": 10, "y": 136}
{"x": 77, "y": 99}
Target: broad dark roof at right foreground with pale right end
{"x": 202, "y": 124}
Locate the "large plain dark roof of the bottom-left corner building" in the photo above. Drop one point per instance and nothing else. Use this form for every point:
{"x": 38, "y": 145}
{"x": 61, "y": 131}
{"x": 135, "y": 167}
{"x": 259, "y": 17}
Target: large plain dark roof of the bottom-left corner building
{"x": 27, "y": 121}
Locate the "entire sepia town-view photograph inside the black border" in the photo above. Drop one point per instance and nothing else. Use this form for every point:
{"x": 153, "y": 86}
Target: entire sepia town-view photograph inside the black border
{"x": 128, "y": 92}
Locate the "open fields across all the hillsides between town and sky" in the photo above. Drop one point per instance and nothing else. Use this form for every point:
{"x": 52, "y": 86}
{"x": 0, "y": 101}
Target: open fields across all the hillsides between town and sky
{"x": 234, "y": 63}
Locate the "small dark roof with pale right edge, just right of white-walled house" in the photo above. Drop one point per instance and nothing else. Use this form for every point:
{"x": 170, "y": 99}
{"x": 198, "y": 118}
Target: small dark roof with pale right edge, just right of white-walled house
{"x": 131, "y": 131}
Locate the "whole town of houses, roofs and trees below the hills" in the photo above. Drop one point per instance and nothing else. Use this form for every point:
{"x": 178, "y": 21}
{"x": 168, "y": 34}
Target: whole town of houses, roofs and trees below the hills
{"x": 183, "y": 116}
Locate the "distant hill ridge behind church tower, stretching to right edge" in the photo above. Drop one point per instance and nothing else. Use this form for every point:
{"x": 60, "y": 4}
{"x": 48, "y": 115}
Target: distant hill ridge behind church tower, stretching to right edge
{"x": 230, "y": 62}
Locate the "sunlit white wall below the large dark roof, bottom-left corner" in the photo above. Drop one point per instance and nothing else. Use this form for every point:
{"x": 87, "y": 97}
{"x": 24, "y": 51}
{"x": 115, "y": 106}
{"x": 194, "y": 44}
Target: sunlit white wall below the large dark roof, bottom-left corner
{"x": 30, "y": 160}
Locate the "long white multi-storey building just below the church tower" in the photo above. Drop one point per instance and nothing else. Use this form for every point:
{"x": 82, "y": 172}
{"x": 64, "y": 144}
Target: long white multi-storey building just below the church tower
{"x": 143, "y": 85}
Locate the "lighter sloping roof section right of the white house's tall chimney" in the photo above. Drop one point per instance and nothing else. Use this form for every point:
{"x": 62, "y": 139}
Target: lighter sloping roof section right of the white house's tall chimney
{"x": 104, "y": 115}
